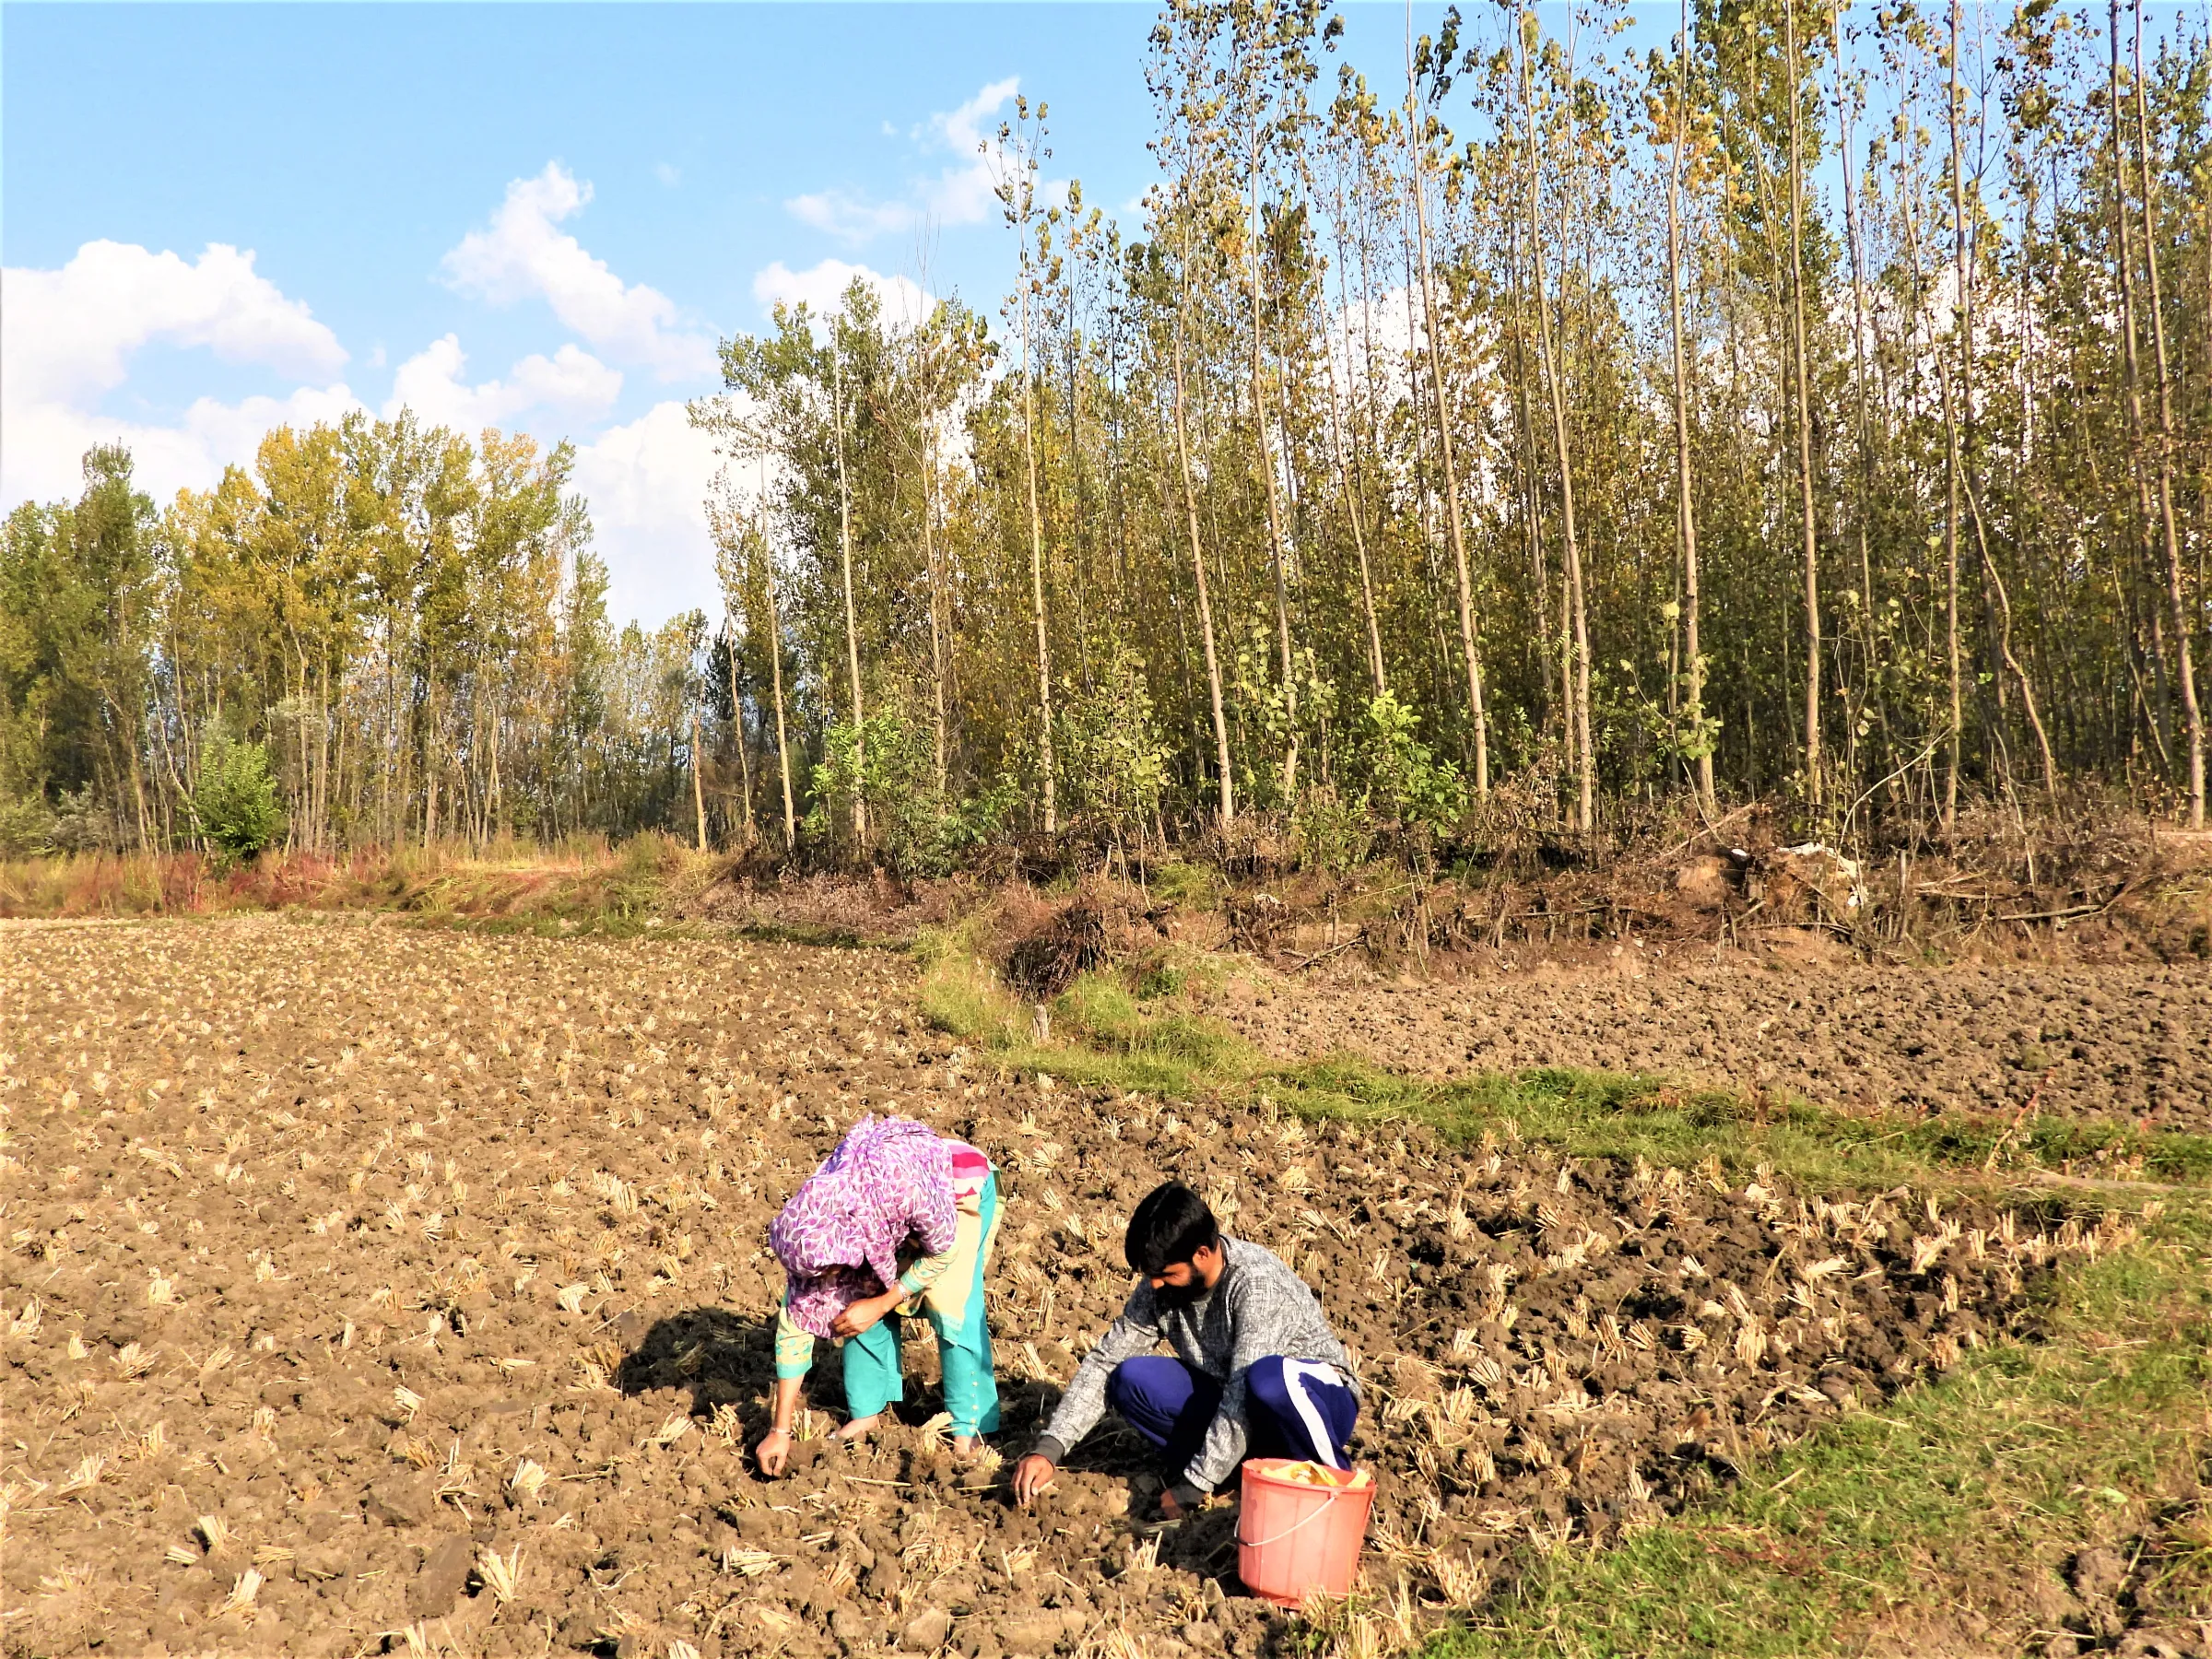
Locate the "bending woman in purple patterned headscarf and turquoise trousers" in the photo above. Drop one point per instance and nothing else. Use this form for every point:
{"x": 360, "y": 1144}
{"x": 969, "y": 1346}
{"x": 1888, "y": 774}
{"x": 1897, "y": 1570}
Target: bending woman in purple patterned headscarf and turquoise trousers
{"x": 895, "y": 1222}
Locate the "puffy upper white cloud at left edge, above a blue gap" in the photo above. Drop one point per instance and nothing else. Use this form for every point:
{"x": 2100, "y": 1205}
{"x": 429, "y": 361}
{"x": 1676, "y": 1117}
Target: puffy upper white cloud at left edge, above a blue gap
{"x": 70, "y": 333}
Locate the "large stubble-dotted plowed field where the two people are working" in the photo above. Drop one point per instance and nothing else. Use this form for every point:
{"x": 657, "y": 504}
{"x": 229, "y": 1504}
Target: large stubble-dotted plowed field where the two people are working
{"x": 386, "y": 1288}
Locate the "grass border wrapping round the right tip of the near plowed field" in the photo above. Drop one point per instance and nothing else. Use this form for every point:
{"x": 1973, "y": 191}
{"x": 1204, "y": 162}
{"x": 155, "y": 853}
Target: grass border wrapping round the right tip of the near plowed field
{"x": 1937, "y": 1523}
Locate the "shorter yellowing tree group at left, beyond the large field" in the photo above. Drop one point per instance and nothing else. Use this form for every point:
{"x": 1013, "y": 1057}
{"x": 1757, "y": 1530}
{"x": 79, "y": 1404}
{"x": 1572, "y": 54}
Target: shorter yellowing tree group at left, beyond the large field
{"x": 410, "y": 627}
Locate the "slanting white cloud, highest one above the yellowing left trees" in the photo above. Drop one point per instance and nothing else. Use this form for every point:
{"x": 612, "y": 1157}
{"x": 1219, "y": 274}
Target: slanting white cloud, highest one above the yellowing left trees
{"x": 525, "y": 255}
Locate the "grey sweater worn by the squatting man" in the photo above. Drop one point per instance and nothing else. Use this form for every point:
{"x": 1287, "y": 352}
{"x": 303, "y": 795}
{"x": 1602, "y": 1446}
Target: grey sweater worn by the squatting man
{"x": 1255, "y": 1311}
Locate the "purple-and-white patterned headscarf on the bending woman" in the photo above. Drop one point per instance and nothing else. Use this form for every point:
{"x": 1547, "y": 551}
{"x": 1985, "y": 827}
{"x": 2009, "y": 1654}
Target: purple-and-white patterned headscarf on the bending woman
{"x": 888, "y": 1182}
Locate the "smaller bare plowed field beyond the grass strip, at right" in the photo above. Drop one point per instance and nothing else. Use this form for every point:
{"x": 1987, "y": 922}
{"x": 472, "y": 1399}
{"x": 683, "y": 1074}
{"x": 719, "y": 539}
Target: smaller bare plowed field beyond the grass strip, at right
{"x": 2100, "y": 1041}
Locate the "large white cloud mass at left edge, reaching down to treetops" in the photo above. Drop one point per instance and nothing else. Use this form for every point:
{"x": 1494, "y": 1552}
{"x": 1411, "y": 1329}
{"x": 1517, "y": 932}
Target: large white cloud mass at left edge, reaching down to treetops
{"x": 67, "y": 337}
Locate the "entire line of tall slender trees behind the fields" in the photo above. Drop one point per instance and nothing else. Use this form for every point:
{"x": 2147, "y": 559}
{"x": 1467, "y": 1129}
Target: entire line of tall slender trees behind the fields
{"x": 1817, "y": 404}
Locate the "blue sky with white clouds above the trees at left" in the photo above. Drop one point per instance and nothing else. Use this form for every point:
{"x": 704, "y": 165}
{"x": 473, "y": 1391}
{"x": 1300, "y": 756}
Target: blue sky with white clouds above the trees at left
{"x": 220, "y": 218}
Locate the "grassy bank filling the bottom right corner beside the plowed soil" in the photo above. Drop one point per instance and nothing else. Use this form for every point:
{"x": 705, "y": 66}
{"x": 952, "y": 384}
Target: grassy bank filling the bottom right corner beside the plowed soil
{"x": 1952, "y": 1521}
